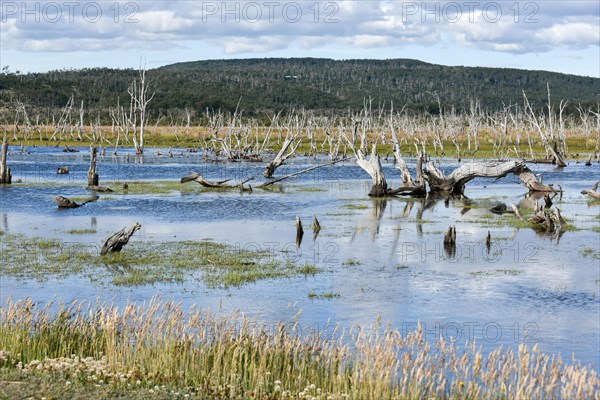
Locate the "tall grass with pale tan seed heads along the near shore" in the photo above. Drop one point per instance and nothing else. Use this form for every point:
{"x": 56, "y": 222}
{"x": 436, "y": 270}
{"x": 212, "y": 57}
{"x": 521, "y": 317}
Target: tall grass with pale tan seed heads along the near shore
{"x": 157, "y": 349}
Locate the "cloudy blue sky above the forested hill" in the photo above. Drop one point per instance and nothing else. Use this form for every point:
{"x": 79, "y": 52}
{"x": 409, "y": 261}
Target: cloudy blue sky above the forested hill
{"x": 561, "y": 36}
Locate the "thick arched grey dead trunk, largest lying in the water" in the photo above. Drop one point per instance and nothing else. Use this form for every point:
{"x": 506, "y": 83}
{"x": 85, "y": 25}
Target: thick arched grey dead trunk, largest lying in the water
{"x": 455, "y": 181}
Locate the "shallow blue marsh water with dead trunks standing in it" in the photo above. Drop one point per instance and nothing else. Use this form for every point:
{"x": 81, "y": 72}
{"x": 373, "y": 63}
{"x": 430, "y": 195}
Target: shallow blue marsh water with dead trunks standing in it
{"x": 377, "y": 259}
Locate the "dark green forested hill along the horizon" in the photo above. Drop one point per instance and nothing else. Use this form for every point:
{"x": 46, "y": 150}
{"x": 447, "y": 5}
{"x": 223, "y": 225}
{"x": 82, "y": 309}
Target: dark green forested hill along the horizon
{"x": 263, "y": 86}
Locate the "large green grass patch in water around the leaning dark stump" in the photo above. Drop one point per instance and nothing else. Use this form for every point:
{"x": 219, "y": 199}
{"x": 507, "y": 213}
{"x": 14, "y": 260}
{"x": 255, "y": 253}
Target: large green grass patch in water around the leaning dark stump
{"x": 215, "y": 264}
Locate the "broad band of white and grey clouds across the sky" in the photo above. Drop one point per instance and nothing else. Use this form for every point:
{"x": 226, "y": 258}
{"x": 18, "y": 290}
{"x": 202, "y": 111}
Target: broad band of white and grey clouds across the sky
{"x": 262, "y": 26}
